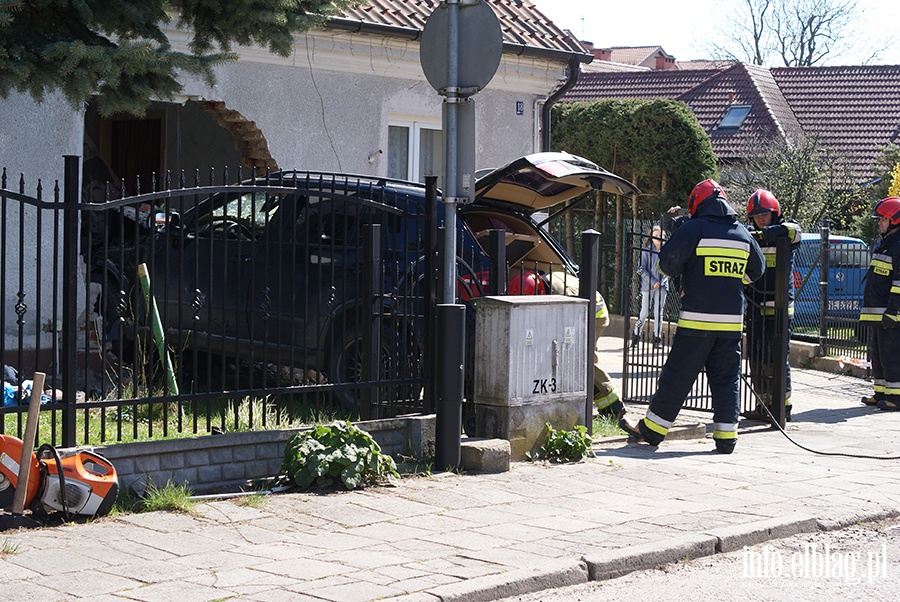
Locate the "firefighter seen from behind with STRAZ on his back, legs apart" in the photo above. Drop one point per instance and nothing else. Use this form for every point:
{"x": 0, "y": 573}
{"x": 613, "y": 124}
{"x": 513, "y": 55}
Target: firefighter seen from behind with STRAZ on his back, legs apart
{"x": 714, "y": 256}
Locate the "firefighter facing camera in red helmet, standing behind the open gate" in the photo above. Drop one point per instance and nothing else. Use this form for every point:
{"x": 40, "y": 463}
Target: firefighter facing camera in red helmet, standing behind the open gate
{"x": 767, "y": 227}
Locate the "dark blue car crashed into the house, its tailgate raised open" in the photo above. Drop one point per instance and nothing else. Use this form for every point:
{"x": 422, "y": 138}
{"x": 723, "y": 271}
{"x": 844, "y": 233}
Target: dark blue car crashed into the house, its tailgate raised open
{"x": 273, "y": 269}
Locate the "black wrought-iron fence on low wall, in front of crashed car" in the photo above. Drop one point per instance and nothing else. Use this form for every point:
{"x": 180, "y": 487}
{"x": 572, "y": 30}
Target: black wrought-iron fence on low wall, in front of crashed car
{"x": 198, "y": 307}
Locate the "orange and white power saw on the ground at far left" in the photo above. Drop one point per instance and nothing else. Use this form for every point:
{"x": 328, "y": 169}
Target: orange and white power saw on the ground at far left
{"x": 78, "y": 482}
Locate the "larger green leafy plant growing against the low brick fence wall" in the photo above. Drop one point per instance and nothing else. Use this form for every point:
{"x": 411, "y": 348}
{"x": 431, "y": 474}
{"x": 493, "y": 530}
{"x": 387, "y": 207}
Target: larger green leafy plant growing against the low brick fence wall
{"x": 337, "y": 452}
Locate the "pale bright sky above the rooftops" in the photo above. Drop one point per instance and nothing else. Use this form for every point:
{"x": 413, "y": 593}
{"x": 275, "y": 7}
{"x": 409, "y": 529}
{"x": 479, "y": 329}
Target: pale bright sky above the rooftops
{"x": 682, "y": 26}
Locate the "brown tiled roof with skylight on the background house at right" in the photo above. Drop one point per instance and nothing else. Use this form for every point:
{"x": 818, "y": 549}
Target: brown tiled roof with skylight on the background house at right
{"x": 855, "y": 111}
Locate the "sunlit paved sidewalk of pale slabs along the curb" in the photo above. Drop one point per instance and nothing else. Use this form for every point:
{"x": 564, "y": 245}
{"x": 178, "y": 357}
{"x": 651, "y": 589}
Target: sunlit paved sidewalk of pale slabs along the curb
{"x": 482, "y": 537}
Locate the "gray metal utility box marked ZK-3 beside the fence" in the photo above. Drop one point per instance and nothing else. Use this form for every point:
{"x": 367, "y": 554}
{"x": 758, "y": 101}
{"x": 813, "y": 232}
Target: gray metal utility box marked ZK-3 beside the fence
{"x": 531, "y": 367}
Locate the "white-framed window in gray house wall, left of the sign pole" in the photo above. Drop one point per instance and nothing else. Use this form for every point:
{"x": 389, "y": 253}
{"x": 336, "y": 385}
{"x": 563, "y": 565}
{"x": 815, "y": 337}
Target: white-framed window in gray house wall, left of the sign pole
{"x": 415, "y": 150}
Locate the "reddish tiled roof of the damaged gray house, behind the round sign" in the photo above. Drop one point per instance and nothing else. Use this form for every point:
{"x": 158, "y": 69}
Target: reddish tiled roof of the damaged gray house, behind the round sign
{"x": 521, "y": 22}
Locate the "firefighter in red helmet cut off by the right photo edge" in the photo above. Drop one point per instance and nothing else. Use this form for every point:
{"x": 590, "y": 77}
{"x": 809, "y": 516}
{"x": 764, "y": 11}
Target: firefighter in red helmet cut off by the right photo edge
{"x": 881, "y": 307}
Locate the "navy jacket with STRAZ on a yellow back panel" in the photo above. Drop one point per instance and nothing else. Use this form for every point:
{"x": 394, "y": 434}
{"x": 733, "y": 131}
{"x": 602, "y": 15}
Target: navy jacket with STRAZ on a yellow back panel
{"x": 715, "y": 257}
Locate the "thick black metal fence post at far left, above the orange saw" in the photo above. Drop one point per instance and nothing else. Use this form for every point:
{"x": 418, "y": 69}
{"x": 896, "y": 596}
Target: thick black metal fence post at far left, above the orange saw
{"x": 71, "y": 191}
